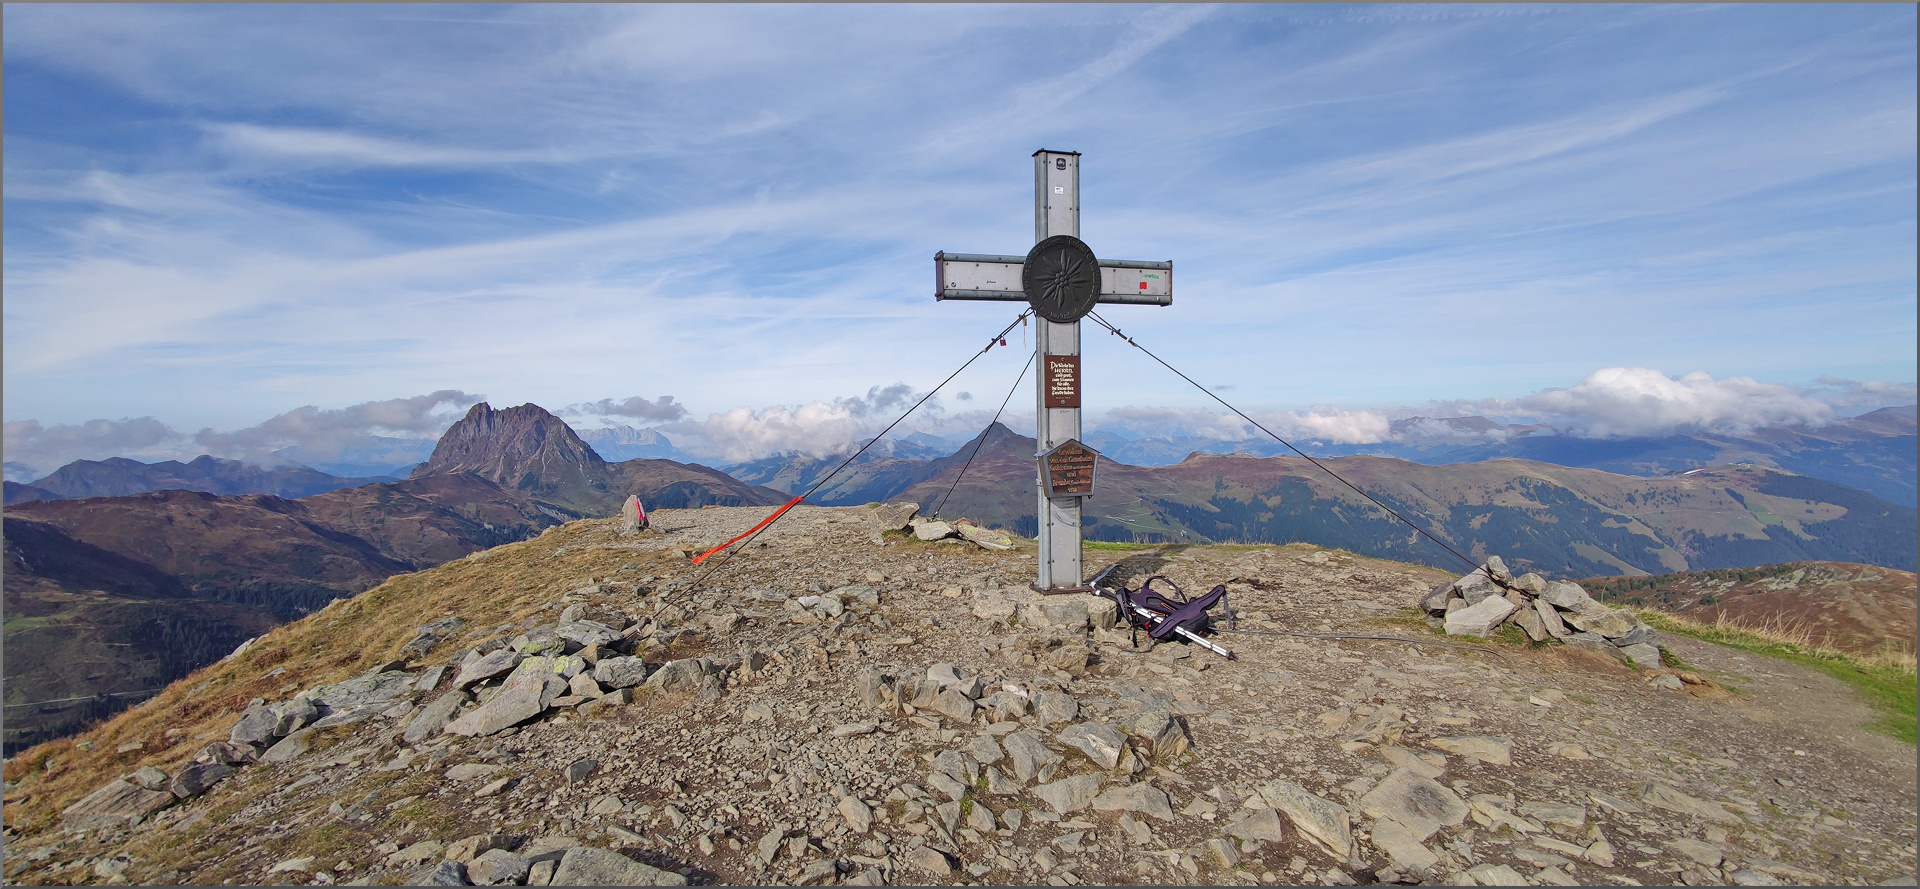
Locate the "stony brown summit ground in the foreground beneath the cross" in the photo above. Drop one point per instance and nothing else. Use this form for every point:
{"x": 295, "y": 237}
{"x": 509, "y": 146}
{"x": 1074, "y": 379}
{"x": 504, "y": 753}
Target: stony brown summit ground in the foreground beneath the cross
{"x": 853, "y": 704}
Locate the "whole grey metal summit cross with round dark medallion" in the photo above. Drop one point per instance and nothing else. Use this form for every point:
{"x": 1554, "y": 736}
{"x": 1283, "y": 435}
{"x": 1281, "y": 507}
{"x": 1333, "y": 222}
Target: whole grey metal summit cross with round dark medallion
{"x": 1063, "y": 464}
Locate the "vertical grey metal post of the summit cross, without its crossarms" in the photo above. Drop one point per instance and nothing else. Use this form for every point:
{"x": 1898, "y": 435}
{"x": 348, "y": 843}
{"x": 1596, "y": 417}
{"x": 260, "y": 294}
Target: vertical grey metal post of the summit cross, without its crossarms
{"x": 1057, "y": 212}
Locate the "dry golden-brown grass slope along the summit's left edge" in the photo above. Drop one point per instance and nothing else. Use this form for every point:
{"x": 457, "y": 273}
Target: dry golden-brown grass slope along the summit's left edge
{"x": 345, "y": 640}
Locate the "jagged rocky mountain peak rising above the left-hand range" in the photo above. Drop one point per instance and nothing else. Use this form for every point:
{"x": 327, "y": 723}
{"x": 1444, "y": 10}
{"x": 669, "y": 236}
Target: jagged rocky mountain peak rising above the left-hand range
{"x": 512, "y": 446}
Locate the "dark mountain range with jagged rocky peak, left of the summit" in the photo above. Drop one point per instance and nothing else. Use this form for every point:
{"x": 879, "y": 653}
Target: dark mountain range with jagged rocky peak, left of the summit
{"x": 135, "y": 590}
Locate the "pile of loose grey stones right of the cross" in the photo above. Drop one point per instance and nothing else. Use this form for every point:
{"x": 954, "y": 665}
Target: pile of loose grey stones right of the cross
{"x": 1491, "y": 596}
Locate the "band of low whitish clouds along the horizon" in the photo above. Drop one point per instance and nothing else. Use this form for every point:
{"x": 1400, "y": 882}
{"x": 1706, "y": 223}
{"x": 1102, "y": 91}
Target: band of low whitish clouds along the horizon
{"x": 1614, "y": 402}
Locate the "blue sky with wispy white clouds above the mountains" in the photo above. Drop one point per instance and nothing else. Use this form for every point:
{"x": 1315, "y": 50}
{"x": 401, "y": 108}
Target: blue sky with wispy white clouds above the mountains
{"x": 218, "y": 214}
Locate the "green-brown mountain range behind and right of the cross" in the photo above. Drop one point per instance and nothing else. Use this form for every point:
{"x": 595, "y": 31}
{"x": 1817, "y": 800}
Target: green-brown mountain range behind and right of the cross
{"x": 1556, "y": 519}
